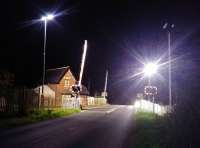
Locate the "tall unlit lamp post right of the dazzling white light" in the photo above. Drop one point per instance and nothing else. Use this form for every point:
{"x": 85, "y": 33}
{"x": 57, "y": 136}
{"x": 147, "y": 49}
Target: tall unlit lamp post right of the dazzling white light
{"x": 169, "y": 27}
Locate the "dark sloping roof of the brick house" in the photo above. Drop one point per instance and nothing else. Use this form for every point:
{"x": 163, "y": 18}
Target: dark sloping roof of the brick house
{"x": 55, "y": 75}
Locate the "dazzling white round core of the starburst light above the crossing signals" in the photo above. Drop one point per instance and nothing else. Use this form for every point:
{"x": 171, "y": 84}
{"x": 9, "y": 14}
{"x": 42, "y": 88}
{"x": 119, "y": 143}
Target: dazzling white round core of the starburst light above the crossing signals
{"x": 150, "y": 69}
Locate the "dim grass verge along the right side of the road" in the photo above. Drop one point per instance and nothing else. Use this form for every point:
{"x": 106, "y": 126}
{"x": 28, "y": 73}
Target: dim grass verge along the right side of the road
{"x": 148, "y": 131}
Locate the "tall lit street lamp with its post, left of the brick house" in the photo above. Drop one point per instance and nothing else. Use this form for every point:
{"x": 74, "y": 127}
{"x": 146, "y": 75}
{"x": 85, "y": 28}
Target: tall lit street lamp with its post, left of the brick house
{"x": 45, "y": 19}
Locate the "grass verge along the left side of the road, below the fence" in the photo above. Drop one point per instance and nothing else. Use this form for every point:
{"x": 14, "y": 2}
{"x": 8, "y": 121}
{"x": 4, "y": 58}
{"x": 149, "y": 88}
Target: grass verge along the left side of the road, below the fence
{"x": 36, "y": 116}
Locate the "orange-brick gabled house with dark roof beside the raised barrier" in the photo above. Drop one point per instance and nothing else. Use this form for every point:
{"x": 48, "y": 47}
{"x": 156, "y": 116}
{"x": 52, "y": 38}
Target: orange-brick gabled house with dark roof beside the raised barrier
{"x": 61, "y": 81}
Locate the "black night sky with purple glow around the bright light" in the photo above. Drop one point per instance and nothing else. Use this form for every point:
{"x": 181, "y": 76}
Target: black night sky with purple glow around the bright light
{"x": 117, "y": 31}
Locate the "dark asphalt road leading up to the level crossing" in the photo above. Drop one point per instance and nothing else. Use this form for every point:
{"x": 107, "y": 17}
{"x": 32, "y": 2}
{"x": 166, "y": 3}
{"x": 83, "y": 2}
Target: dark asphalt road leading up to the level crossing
{"x": 105, "y": 127}
